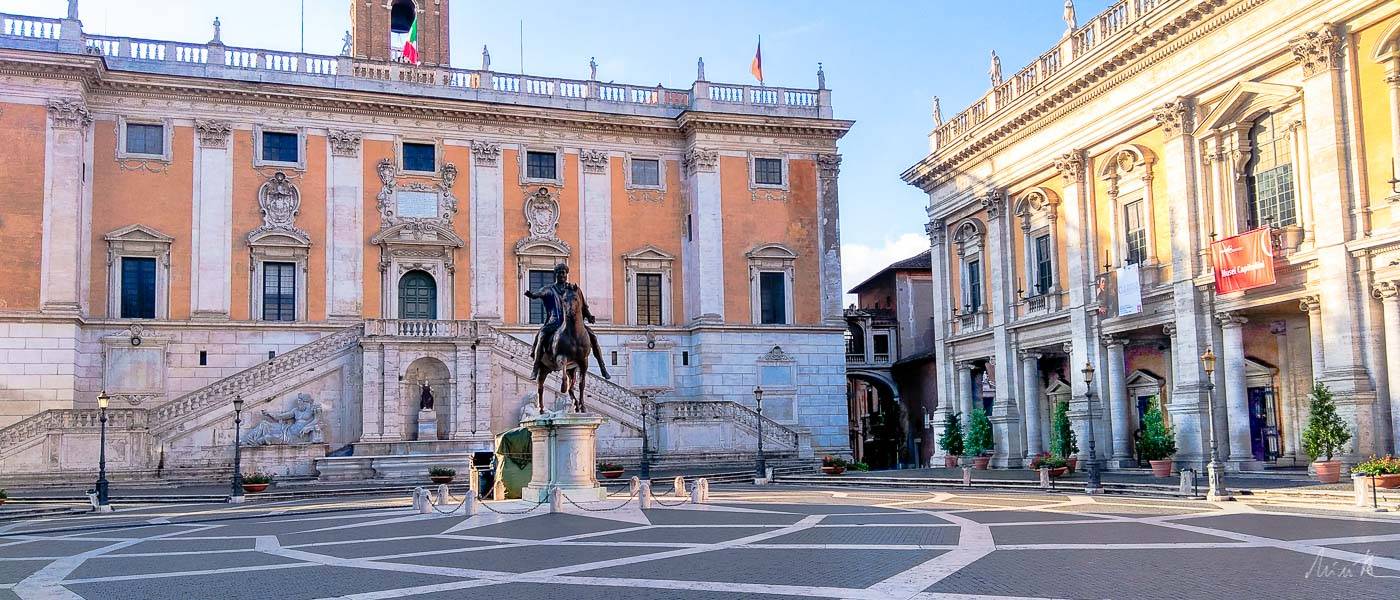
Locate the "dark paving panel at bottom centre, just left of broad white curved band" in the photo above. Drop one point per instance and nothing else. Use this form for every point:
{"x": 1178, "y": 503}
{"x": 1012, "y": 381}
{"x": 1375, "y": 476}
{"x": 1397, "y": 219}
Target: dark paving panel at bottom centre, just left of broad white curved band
{"x": 838, "y": 569}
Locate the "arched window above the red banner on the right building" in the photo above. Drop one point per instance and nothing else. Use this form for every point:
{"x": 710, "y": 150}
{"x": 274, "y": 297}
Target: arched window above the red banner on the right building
{"x": 1270, "y": 174}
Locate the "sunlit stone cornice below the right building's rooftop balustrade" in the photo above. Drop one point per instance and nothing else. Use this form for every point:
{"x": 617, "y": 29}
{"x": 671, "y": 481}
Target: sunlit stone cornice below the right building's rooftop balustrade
{"x": 1083, "y": 85}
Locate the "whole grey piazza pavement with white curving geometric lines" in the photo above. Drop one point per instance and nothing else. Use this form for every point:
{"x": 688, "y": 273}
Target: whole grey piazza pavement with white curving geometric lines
{"x": 747, "y": 543}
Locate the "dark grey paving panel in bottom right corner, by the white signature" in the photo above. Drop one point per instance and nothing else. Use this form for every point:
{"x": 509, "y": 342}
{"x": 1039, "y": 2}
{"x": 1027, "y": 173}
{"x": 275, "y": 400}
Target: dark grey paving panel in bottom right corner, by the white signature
{"x": 1160, "y": 576}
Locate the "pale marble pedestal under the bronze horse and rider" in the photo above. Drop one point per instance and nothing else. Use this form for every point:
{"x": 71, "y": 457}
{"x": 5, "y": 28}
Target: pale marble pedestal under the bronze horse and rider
{"x": 563, "y": 452}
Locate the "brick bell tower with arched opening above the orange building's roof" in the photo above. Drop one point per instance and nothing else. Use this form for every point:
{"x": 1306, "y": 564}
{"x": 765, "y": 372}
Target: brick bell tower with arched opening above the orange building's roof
{"x": 381, "y": 27}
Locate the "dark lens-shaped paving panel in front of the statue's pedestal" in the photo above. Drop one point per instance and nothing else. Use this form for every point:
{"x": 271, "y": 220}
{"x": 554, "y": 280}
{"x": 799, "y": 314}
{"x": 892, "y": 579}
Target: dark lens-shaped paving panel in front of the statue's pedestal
{"x": 524, "y": 559}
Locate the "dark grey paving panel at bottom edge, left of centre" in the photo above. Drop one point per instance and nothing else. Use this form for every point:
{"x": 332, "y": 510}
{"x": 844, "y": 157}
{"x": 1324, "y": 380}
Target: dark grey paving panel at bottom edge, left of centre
{"x": 300, "y": 584}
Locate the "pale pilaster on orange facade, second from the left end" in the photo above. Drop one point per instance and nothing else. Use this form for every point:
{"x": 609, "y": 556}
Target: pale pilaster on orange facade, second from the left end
{"x": 213, "y": 213}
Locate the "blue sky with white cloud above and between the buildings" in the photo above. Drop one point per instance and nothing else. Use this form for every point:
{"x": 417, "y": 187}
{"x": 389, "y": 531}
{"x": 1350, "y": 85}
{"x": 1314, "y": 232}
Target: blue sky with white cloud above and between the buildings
{"x": 884, "y": 61}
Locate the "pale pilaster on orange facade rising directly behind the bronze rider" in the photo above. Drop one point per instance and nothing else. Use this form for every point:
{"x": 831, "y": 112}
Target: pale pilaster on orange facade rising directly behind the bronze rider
{"x": 596, "y": 258}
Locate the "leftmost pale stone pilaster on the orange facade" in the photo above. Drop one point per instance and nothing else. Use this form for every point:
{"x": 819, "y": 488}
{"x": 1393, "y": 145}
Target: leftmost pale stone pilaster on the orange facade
{"x": 68, "y": 209}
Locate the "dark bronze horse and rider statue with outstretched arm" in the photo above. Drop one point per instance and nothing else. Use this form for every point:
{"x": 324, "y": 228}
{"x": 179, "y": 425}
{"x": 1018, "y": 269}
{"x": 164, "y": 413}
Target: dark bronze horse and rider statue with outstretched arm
{"x": 565, "y": 341}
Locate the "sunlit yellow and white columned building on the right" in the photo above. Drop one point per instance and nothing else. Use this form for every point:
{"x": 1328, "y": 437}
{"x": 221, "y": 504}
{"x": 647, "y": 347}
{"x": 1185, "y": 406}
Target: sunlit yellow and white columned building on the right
{"x": 1073, "y": 210}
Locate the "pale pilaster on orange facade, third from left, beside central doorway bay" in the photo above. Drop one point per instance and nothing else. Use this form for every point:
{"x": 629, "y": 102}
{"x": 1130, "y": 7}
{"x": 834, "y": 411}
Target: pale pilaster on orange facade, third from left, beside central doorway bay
{"x": 345, "y": 226}
